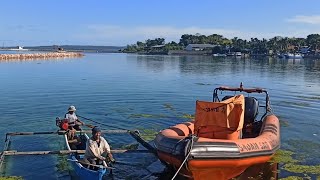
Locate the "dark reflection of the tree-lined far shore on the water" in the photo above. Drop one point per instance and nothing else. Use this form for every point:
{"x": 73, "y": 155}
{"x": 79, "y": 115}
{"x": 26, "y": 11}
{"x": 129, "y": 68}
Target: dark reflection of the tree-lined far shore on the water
{"x": 259, "y": 67}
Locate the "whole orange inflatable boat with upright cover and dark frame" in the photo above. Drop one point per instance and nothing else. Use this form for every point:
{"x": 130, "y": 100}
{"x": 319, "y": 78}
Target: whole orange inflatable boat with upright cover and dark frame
{"x": 224, "y": 139}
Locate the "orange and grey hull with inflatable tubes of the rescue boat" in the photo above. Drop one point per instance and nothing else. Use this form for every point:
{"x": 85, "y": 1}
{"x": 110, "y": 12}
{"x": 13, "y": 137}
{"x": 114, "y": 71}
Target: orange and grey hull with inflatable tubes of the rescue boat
{"x": 216, "y": 158}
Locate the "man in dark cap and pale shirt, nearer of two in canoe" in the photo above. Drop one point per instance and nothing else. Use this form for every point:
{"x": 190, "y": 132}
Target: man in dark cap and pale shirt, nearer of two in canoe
{"x": 97, "y": 148}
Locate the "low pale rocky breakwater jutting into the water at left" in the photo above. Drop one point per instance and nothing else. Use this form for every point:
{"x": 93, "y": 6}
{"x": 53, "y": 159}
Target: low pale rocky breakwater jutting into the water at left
{"x": 41, "y": 55}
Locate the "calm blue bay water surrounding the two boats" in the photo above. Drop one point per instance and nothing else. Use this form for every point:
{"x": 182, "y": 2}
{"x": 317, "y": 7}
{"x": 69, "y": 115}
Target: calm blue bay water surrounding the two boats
{"x": 145, "y": 92}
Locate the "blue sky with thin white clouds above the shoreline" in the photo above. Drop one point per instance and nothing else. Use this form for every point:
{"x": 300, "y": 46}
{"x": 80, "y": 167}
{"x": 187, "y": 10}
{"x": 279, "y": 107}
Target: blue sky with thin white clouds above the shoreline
{"x": 122, "y": 22}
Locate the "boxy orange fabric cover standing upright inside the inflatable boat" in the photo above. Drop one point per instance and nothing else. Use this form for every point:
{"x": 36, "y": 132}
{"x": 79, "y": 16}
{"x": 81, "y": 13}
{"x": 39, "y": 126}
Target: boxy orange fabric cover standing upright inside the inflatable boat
{"x": 220, "y": 120}
